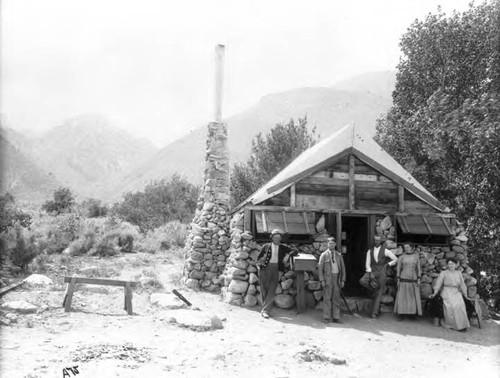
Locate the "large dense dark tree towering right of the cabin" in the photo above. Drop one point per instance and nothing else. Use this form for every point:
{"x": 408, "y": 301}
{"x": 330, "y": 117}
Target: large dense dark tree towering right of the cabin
{"x": 444, "y": 126}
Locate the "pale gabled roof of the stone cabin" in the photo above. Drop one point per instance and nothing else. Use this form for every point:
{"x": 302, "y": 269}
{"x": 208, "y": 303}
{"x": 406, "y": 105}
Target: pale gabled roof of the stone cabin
{"x": 325, "y": 153}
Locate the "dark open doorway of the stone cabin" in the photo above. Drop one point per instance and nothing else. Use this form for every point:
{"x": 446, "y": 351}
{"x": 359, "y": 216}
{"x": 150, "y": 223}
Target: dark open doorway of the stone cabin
{"x": 355, "y": 245}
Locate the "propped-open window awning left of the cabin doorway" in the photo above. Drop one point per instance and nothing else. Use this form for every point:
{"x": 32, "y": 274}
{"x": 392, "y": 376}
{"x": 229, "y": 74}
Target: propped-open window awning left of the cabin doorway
{"x": 295, "y": 223}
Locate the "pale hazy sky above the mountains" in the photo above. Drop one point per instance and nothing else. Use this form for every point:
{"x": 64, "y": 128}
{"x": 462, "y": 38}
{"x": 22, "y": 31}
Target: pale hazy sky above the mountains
{"x": 148, "y": 64}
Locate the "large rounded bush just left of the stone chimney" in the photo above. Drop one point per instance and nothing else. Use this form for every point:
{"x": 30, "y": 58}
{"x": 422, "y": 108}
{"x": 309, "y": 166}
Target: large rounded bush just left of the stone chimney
{"x": 161, "y": 202}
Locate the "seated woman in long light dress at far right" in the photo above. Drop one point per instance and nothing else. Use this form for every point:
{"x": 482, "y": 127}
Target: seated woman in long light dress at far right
{"x": 452, "y": 286}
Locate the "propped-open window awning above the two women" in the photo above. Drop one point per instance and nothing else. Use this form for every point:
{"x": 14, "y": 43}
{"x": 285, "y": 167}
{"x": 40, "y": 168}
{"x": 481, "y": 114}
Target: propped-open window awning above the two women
{"x": 425, "y": 225}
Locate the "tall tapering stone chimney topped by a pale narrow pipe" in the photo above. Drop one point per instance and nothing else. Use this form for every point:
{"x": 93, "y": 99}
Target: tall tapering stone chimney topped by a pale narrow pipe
{"x": 208, "y": 241}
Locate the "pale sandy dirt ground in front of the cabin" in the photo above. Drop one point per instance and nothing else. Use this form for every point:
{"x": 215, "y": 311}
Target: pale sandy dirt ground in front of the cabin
{"x": 103, "y": 341}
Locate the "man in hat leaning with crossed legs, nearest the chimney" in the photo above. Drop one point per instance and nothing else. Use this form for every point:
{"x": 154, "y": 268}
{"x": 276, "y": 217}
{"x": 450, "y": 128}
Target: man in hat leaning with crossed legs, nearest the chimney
{"x": 271, "y": 260}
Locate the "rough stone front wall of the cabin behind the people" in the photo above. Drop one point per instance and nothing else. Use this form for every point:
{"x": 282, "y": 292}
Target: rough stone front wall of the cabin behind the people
{"x": 241, "y": 282}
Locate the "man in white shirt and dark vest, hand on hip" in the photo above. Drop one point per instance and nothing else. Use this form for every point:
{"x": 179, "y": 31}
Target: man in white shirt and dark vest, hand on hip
{"x": 377, "y": 258}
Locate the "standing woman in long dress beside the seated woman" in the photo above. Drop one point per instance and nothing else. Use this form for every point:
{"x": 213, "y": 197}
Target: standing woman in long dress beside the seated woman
{"x": 408, "y": 274}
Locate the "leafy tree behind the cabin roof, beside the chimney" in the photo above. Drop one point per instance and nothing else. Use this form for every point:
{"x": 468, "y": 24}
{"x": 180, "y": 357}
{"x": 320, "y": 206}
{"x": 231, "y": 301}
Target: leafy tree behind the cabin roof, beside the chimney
{"x": 269, "y": 155}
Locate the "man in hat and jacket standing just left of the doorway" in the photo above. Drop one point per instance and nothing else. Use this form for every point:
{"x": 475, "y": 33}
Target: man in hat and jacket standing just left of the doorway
{"x": 332, "y": 277}
